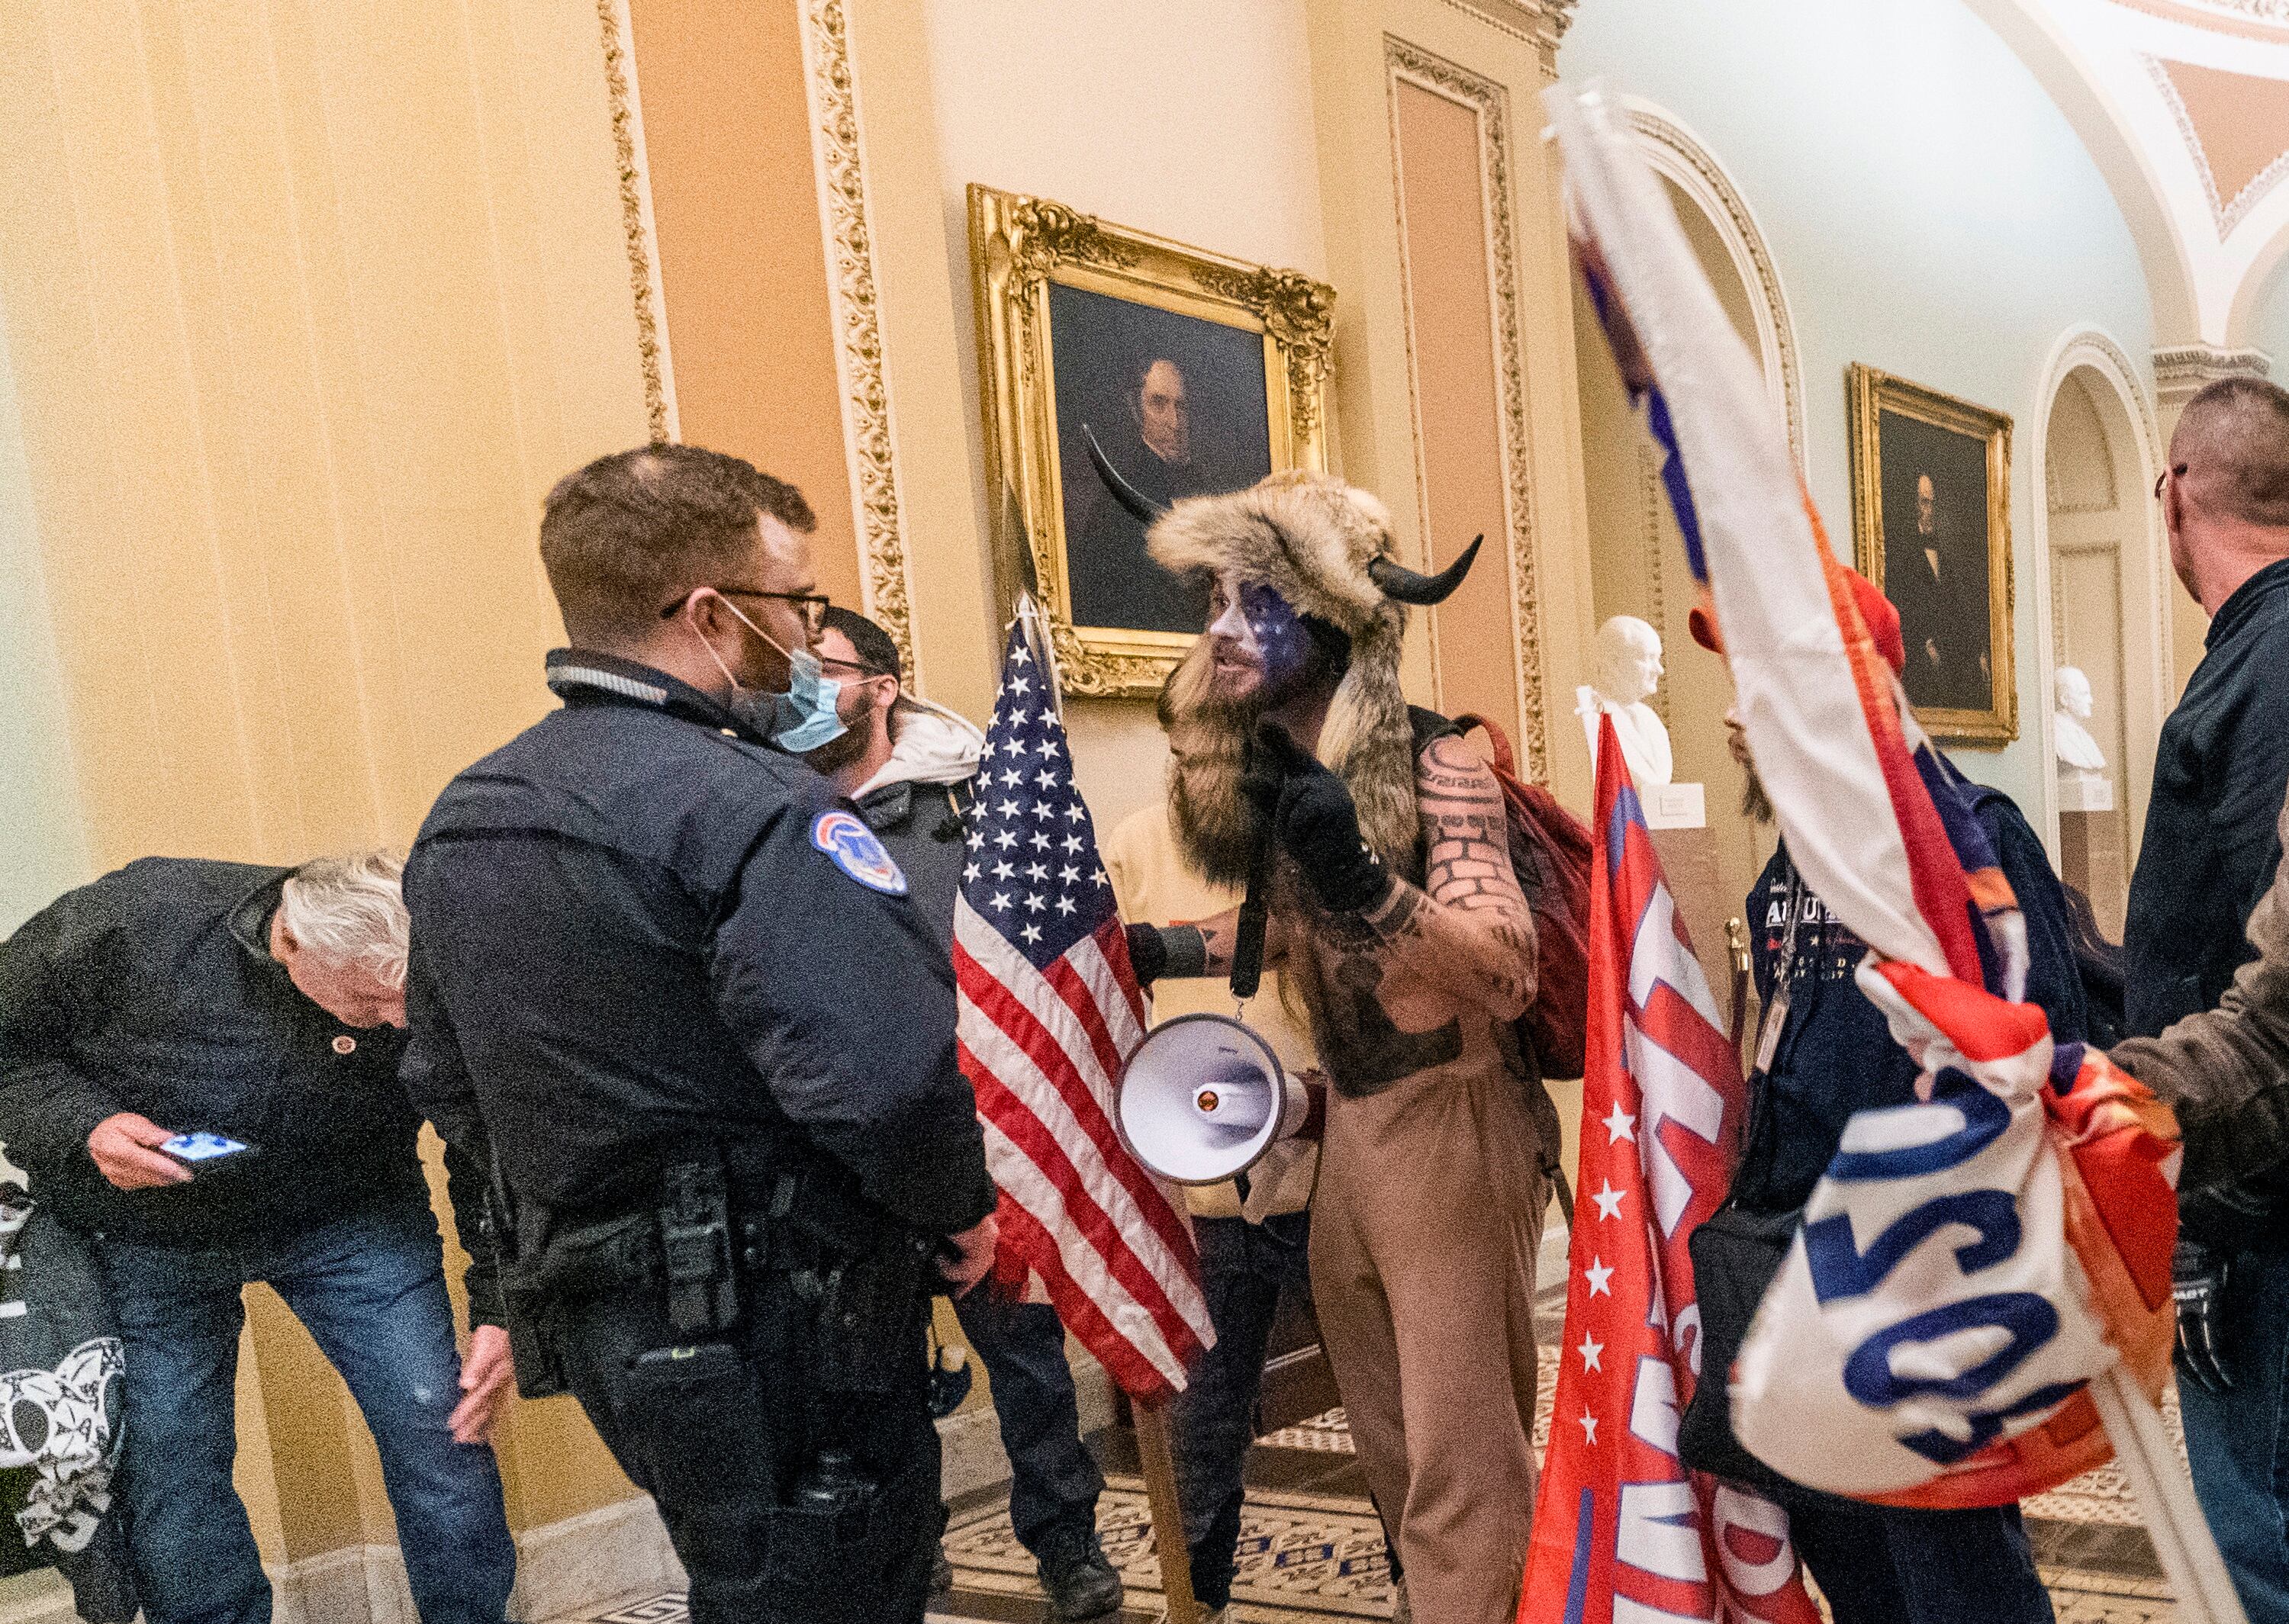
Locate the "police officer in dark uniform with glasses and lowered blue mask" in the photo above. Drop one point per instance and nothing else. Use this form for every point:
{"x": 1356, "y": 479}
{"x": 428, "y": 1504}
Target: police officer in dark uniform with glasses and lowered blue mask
{"x": 681, "y": 1001}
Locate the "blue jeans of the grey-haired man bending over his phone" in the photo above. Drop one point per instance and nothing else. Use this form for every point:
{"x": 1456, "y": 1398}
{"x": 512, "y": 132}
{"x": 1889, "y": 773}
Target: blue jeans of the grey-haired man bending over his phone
{"x": 372, "y": 1293}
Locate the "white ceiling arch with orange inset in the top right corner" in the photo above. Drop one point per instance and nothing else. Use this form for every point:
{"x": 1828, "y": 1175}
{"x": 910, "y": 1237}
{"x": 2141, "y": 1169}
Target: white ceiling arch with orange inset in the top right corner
{"x": 2185, "y": 104}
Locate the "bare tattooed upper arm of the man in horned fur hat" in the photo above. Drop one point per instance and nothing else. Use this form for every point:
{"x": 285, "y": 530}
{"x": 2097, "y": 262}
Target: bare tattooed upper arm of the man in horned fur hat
{"x": 1468, "y": 928}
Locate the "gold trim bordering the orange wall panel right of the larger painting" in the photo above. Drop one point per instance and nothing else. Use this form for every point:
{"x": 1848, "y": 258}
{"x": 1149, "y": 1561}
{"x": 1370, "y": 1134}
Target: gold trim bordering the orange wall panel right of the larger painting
{"x": 1491, "y": 102}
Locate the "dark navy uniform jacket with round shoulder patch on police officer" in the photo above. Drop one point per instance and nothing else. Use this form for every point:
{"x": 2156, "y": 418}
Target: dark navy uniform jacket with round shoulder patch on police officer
{"x": 640, "y": 932}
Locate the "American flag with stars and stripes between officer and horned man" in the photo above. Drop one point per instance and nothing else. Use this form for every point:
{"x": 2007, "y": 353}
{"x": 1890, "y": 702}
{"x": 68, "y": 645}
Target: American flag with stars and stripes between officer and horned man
{"x": 1050, "y": 1012}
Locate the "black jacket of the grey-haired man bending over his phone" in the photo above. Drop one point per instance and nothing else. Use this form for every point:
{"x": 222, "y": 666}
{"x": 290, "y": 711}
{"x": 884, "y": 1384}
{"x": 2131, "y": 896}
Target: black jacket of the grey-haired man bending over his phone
{"x": 155, "y": 992}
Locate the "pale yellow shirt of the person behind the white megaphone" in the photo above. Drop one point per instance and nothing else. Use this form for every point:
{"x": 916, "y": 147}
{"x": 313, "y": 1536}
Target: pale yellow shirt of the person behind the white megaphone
{"x": 1153, "y": 886}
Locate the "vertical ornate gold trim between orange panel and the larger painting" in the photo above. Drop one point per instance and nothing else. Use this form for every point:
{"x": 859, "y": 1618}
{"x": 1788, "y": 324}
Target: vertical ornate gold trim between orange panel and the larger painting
{"x": 850, "y": 280}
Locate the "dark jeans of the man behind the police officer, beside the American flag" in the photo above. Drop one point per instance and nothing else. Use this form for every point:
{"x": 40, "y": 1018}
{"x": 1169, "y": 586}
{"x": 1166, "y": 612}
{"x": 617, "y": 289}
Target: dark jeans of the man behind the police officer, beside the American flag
{"x": 1054, "y": 1481}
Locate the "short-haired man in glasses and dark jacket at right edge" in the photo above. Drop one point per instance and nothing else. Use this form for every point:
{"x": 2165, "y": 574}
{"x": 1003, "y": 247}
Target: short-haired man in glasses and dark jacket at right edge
{"x": 2210, "y": 854}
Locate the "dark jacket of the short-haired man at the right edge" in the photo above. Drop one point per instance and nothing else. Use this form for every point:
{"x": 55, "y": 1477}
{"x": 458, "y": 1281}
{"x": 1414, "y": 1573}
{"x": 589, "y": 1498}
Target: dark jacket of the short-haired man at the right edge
{"x": 2210, "y": 843}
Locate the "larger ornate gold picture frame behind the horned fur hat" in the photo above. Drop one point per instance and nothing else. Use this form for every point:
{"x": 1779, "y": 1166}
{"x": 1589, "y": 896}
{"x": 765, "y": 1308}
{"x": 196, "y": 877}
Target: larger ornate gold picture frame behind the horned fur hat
{"x": 1036, "y": 262}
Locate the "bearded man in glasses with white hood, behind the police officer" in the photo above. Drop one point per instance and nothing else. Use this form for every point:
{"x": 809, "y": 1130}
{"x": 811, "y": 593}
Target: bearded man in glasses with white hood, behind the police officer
{"x": 910, "y": 767}
